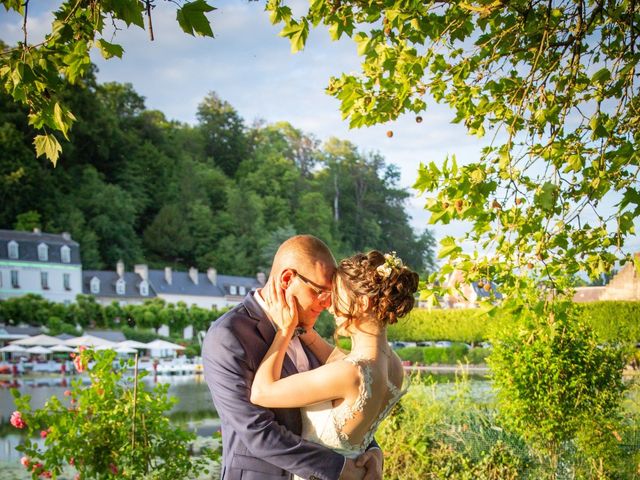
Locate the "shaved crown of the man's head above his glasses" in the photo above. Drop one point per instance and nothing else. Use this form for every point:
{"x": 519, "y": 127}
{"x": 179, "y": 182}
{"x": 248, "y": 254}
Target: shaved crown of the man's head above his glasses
{"x": 302, "y": 252}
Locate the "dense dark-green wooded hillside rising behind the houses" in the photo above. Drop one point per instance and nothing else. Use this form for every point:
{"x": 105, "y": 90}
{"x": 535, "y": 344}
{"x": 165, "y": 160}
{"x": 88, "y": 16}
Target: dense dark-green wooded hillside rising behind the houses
{"x": 133, "y": 185}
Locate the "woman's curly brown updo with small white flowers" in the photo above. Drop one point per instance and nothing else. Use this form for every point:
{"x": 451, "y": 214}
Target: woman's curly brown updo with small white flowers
{"x": 384, "y": 279}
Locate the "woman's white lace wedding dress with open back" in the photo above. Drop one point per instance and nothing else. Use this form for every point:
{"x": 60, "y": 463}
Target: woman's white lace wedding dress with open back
{"x": 325, "y": 424}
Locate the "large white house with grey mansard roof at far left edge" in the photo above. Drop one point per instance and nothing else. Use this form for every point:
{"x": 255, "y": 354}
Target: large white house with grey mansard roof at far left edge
{"x": 40, "y": 263}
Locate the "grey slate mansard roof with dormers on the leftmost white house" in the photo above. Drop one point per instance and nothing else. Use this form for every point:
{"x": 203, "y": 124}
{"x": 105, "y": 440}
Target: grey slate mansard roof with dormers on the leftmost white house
{"x": 28, "y": 246}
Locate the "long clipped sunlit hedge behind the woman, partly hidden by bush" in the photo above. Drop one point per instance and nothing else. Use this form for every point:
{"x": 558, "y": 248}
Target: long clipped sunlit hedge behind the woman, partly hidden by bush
{"x": 612, "y": 322}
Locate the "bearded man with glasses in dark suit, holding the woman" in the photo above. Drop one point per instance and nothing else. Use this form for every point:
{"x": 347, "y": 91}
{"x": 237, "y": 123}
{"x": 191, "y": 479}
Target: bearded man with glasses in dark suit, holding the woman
{"x": 259, "y": 443}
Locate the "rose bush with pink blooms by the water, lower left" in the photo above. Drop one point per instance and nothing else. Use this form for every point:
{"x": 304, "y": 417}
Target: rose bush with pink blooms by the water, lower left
{"x": 112, "y": 428}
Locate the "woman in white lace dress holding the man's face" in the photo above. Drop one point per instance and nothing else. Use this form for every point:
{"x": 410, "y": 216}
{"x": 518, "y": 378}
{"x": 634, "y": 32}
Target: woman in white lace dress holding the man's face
{"x": 343, "y": 401}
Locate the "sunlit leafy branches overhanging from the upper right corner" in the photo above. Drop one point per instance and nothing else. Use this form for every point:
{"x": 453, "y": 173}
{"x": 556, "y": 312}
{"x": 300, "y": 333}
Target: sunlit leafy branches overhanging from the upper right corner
{"x": 554, "y": 83}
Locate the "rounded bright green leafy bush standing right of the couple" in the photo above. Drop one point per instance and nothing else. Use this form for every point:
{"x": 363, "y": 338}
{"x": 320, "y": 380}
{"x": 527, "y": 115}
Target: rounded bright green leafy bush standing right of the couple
{"x": 555, "y": 383}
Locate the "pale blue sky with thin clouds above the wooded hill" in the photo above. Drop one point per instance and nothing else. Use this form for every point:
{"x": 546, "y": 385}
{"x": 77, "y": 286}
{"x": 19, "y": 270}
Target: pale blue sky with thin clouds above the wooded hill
{"x": 251, "y": 67}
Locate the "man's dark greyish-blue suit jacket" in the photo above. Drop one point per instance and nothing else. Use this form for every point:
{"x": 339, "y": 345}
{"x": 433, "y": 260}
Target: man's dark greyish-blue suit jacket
{"x": 257, "y": 443}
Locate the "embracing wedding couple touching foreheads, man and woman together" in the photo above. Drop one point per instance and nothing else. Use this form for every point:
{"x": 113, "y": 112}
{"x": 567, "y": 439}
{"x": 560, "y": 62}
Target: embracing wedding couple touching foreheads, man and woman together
{"x": 291, "y": 404}
